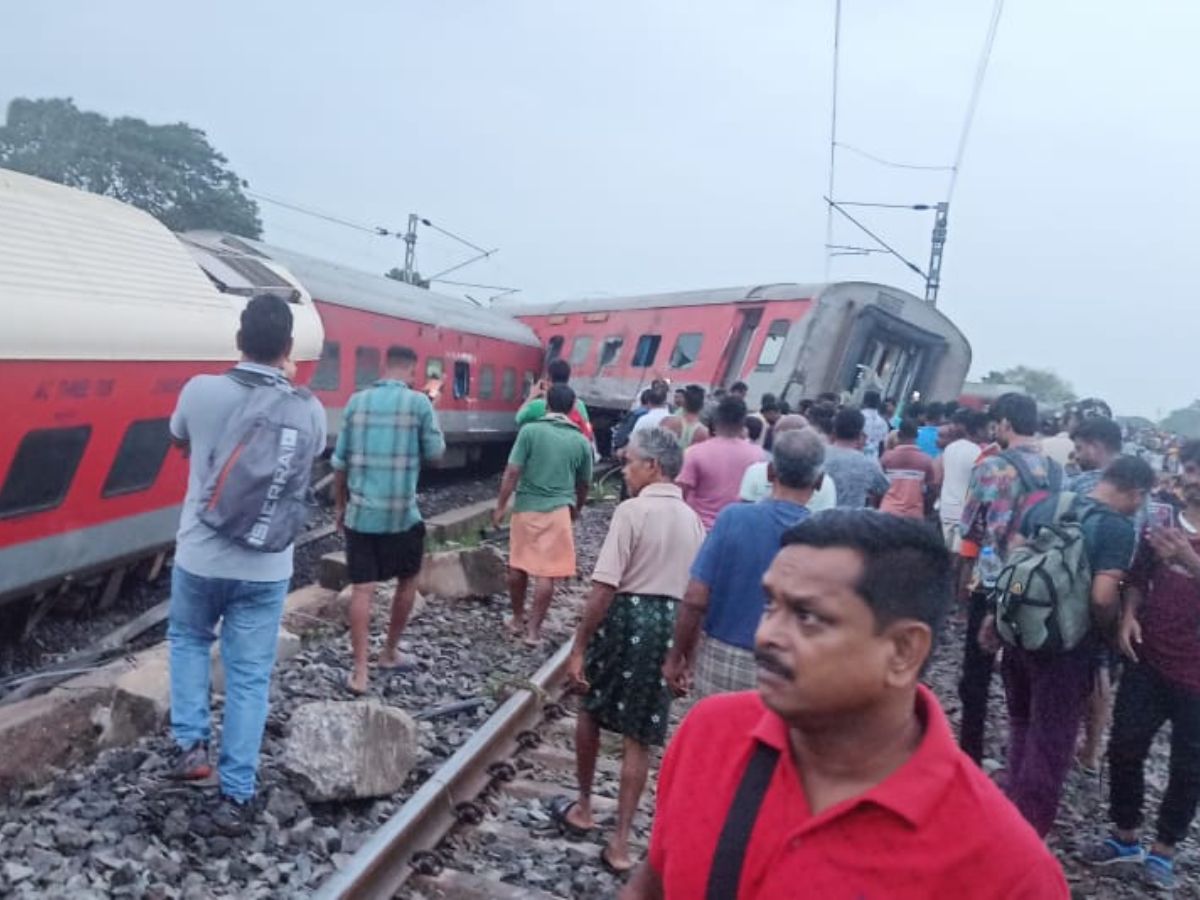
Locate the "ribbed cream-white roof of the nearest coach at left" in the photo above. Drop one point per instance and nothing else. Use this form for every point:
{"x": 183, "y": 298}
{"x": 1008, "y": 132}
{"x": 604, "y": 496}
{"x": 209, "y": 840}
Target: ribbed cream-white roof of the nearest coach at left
{"x": 85, "y": 277}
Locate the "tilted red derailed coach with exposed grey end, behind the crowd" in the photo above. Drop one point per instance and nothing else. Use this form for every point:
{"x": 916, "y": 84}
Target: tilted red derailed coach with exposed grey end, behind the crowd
{"x": 790, "y": 340}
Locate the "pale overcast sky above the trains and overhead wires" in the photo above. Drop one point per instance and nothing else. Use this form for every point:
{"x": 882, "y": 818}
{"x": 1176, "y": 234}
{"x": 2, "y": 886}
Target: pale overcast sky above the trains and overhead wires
{"x": 637, "y": 146}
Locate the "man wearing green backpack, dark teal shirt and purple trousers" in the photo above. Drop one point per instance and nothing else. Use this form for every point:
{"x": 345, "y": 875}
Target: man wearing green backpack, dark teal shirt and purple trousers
{"x": 1059, "y": 593}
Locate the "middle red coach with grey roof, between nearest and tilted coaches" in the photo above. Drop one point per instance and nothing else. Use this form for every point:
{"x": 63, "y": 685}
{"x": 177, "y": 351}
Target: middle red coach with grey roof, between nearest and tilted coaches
{"x": 485, "y": 361}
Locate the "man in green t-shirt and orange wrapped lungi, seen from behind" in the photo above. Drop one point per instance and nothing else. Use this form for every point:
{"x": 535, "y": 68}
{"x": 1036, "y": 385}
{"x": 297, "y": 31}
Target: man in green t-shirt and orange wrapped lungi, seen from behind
{"x": 550, "y": 470}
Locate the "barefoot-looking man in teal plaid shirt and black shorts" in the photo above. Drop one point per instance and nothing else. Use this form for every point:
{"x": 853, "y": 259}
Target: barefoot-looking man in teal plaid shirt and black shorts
{"x": 387, "y": 431}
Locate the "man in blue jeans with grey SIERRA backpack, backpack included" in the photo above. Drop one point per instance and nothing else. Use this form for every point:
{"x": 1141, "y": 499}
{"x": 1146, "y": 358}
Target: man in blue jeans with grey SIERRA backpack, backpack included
{"x": 251, "y": 439}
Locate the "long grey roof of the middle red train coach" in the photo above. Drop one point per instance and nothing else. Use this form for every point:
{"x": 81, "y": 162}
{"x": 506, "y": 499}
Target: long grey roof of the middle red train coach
{"x": 343, "y": 286}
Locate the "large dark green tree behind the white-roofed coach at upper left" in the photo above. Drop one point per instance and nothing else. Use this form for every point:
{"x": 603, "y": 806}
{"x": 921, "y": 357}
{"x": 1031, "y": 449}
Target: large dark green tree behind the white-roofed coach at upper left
{"x": 170, "y": 171}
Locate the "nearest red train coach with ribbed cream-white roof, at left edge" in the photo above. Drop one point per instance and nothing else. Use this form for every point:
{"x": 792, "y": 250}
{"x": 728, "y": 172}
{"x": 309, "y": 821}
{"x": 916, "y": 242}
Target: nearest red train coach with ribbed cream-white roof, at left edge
{"x": 104, "y": 317}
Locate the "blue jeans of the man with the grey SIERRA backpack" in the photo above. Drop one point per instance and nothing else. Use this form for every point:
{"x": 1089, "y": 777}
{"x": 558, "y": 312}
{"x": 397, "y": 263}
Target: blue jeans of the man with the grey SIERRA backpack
{"x": 250, "y": 613}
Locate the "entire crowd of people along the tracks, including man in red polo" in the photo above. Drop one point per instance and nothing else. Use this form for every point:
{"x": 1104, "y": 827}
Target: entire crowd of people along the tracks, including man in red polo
{"x": 791, "y": 571}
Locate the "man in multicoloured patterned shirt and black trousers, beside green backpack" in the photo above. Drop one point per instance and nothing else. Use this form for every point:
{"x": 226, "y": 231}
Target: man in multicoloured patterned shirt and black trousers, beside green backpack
{"x": 1010, "y": 477}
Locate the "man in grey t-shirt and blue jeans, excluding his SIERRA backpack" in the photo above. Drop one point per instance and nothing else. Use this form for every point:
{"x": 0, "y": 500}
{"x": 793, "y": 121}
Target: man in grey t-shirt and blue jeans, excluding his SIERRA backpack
{"x": 218, "y": 581}
